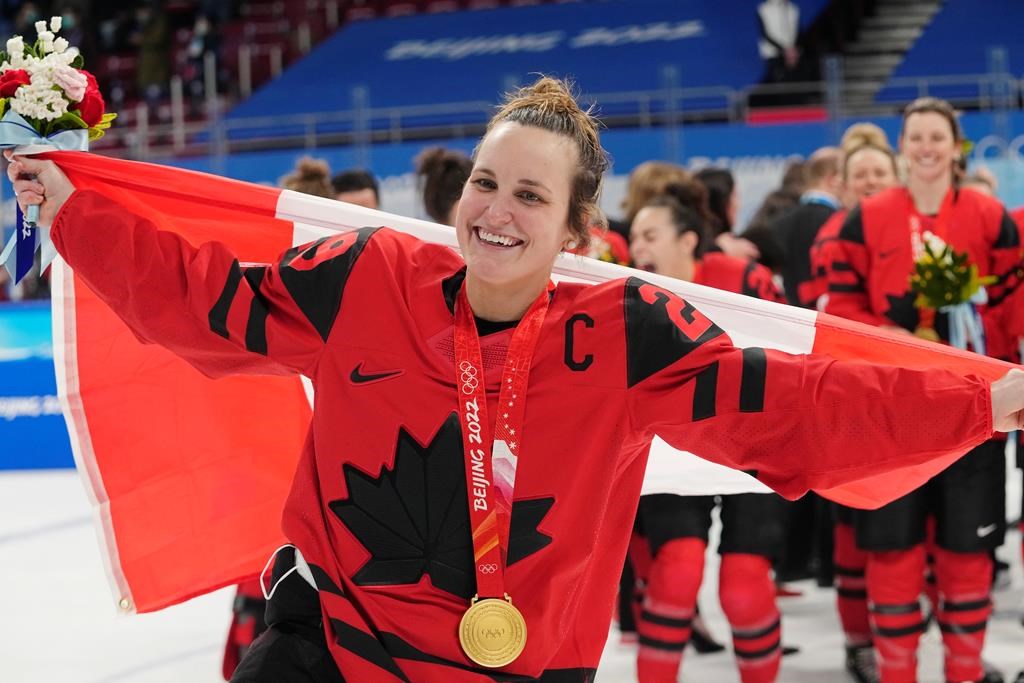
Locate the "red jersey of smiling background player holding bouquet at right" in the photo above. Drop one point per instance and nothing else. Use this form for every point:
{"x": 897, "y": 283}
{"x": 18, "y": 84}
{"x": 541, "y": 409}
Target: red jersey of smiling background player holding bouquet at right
{"x": 870, "y": 276}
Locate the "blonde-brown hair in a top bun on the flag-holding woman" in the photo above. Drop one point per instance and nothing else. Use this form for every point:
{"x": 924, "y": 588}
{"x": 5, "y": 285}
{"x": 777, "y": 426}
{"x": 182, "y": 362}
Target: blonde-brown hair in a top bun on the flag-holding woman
{"x": 550, "y": 105}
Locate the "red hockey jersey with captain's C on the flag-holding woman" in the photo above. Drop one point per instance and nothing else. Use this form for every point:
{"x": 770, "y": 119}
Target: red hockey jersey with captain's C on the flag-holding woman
{"x": 378, "y": 505}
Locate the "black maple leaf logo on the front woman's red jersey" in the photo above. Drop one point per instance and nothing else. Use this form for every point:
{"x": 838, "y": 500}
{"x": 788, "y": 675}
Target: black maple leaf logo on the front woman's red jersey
{"x": 414, "y": 519}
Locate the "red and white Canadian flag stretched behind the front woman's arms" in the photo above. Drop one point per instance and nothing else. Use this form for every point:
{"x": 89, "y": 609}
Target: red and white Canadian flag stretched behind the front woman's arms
{"x": 189, "y": 476}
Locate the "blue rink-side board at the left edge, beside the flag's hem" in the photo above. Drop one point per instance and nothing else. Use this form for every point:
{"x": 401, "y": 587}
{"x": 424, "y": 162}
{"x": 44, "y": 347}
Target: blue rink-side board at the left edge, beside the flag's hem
{"x": 33, "y": 435}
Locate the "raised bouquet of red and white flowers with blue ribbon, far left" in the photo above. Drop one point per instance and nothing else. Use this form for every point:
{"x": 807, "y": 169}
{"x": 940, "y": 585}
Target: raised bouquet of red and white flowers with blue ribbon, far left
{"x": 48, "y": 102}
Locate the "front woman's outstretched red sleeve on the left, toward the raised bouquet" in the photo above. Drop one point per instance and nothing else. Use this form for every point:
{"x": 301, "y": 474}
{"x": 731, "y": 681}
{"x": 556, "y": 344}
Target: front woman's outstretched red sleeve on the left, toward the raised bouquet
{"x": 220, "y": 315}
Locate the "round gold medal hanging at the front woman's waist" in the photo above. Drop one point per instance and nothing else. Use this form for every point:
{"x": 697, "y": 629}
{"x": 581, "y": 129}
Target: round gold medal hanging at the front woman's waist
{"x": 493, "y": 632}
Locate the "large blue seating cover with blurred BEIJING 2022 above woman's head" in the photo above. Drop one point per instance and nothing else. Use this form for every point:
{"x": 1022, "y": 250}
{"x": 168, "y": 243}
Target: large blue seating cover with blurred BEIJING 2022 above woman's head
{"x": 434, "y": 57}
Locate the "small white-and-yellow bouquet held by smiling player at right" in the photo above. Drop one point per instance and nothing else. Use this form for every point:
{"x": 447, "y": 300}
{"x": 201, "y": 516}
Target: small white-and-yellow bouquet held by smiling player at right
{"x": 947, "y": 281}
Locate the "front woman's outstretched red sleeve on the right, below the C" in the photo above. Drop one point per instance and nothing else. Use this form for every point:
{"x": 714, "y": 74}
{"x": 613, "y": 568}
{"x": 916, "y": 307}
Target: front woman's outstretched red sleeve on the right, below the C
{"x": 798, "y": 422}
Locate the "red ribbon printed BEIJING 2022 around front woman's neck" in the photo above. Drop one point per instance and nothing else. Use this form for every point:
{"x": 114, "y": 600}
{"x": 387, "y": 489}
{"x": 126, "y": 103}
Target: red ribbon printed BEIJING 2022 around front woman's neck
{"x": 492, "y": 455}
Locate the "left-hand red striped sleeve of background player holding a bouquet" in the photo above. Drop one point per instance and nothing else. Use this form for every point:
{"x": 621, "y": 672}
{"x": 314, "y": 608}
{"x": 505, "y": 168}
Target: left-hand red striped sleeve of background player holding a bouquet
{"x": 848, "y": 275}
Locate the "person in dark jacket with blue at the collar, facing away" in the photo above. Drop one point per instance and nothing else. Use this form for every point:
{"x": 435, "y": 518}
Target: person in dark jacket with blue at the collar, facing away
{"x": 795, "y": 231}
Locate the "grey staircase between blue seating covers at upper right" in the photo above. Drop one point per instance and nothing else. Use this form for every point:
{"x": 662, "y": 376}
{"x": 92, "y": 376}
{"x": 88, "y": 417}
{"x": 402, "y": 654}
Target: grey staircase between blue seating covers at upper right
{"x": 882, "y": 42}
